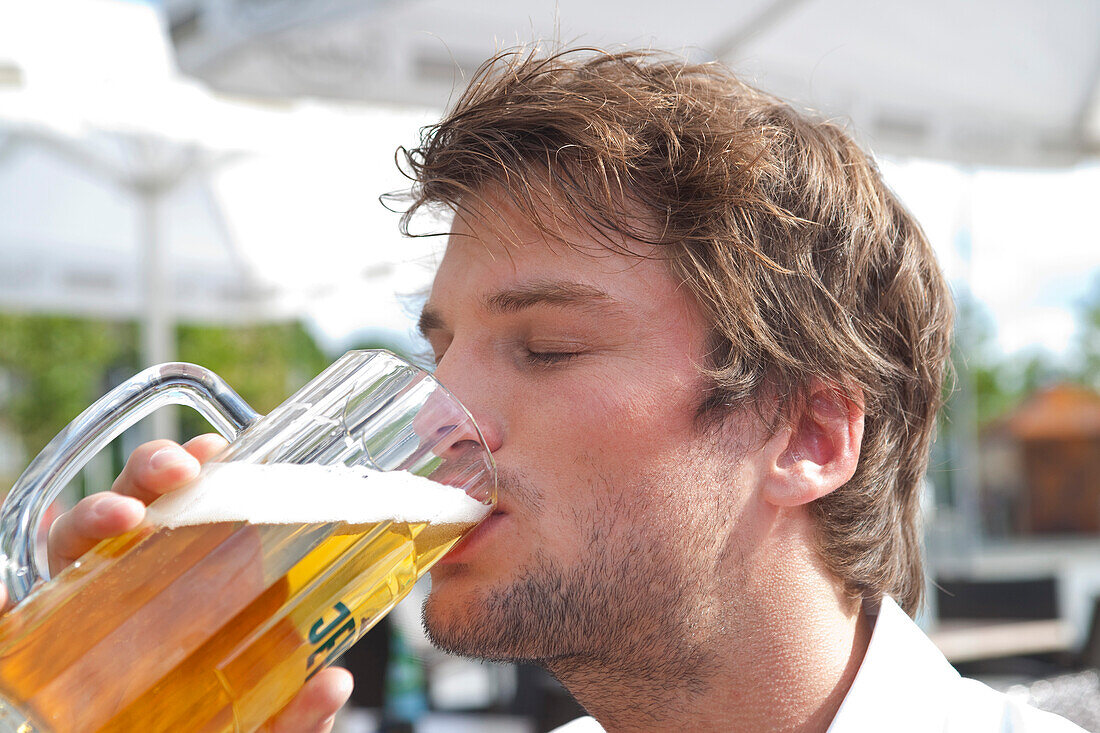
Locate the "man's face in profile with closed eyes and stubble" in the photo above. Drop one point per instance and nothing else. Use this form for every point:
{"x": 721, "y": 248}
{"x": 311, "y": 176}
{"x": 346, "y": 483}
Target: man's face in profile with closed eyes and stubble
{"x": 617, "y": 510}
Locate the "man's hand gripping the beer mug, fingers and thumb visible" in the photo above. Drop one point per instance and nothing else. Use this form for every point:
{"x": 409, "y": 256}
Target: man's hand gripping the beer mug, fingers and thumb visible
{"x": 155, "y": 469}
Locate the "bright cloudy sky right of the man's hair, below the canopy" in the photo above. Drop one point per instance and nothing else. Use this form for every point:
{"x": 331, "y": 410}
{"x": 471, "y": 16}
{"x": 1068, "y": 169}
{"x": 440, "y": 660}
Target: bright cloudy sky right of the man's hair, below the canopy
{"x": 1033, "y": 251}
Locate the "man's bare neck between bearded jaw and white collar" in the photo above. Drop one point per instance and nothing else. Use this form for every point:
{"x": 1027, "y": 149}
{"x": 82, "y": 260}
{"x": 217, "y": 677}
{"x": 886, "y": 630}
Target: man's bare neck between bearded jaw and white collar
{"x": 787, "y": 671}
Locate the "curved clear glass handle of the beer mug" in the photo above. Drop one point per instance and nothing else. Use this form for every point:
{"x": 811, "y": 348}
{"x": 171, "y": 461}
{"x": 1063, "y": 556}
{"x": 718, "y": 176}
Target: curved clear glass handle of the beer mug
{"x": 167, "y": 385}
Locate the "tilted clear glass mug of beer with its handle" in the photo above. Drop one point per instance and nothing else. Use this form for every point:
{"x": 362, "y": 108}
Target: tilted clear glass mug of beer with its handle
{"x": 238, "y": 588}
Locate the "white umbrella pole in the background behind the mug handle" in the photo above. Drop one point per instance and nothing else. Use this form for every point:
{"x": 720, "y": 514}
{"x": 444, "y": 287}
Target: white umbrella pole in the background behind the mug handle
{"x": 158, "y": 338}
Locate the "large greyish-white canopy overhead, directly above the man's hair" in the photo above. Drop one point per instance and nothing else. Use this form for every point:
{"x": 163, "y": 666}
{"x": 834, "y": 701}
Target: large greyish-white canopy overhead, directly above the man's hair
{"x": 985, "y": 82}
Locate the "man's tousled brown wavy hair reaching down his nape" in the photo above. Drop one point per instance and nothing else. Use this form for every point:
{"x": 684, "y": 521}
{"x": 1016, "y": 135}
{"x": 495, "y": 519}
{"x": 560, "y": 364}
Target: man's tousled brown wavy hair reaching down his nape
{"x": 806, "y": 264}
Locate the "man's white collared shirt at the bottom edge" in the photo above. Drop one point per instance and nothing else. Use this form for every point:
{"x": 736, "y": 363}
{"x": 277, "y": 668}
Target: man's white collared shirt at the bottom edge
{"x": 907, "y": 686}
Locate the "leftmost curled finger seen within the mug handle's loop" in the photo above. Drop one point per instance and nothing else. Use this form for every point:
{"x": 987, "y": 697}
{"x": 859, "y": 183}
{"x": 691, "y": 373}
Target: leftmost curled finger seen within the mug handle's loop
{"x": 94, "y": 519}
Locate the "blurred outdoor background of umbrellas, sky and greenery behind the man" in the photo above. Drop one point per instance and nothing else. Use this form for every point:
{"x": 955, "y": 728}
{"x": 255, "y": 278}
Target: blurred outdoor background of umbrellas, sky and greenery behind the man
{"x": 200, "y": 181}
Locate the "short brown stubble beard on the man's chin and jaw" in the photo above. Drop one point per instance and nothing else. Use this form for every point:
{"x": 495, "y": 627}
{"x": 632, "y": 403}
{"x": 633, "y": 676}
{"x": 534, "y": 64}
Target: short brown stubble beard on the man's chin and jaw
{"x": 620, "y": 618}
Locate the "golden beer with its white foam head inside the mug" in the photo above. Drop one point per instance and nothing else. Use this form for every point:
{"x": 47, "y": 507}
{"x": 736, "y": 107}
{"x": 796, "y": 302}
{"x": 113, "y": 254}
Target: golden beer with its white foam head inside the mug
{"x": 196, "y": 623}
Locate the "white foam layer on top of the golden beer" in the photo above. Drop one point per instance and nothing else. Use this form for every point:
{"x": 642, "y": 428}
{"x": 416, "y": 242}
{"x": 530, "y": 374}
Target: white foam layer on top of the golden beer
{"x": 292, "y": 494}
